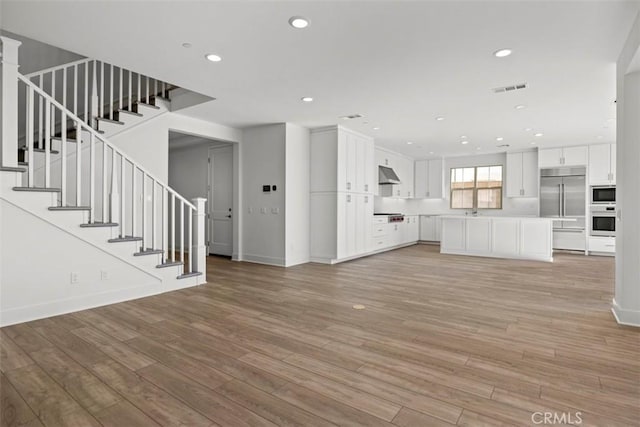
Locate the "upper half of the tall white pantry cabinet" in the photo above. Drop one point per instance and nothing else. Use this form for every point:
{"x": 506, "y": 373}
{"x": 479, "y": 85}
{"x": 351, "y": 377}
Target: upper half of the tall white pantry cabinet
{"x": 342, "y": 161}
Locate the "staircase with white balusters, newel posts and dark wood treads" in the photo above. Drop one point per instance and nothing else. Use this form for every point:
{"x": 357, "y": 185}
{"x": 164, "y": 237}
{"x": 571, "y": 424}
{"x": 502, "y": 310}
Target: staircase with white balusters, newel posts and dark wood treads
{"x": 57, "y": 164}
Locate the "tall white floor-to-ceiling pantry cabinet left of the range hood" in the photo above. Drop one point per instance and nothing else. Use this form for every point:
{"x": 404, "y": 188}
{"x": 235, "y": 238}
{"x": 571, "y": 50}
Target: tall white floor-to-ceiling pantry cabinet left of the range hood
{"x": 342, "y": 186}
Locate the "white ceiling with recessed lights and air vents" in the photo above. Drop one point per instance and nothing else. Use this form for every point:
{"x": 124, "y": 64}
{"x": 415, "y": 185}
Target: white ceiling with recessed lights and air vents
{"x": 400, "y": 64}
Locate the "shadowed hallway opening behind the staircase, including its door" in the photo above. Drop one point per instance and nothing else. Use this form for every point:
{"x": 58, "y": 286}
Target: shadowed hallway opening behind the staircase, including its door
{"x": 203, "y": 167}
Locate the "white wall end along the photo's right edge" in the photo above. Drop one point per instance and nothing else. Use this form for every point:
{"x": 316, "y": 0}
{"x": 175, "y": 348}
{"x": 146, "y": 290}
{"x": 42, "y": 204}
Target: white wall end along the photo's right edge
{"x": 626, "y": 303}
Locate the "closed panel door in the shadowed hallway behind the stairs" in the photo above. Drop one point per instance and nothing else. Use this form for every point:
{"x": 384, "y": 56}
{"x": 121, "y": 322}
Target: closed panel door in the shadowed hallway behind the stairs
{"x": 221, "y": 200}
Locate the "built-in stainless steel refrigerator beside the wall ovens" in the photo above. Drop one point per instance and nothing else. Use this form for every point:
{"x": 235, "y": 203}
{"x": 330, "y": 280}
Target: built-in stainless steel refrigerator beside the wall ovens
{"x": 562, "y": 196}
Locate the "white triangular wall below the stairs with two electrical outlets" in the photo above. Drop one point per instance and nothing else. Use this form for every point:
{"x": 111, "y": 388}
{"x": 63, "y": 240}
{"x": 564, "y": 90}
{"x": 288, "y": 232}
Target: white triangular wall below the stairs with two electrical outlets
{"x": 36, "y": 265}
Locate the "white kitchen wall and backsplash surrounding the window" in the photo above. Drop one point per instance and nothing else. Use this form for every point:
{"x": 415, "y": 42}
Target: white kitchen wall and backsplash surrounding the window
{"x": 510, "y": 206}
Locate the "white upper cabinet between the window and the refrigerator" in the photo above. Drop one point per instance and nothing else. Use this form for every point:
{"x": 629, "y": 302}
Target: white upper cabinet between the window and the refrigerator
{"x": 522, "y": 174}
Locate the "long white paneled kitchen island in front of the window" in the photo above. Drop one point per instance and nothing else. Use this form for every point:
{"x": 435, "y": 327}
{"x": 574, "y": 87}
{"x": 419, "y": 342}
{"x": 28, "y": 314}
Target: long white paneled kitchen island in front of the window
{"x": 498, "y": 237}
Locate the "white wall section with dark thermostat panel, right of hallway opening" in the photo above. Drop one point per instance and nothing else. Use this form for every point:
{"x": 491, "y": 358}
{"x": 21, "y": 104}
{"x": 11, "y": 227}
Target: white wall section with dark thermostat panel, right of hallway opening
{"x": 263, "y": 163}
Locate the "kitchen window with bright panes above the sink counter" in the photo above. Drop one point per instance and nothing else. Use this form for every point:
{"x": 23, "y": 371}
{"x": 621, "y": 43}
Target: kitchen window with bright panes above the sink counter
{"x": 478, "y": 187}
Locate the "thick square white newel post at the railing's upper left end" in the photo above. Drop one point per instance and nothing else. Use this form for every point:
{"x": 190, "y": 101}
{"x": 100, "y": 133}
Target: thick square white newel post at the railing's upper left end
{"x": 9, "y": 102}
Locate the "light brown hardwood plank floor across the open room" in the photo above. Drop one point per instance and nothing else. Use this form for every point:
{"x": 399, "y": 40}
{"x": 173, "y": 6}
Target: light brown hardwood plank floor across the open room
{"x": 444, "y": 340}
